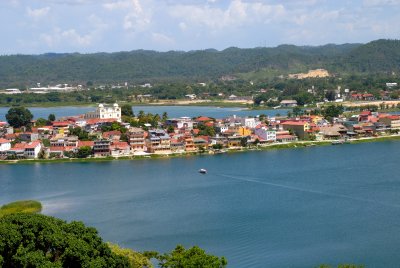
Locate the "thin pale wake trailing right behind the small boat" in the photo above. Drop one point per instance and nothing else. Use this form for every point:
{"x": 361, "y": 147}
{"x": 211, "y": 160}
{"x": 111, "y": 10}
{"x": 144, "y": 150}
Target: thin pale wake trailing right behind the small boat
{"x": 298, "y": 189}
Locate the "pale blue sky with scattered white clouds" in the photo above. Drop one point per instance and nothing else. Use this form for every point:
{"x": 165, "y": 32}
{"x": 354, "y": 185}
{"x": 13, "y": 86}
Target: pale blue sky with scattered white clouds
{"x": 85, "y": 26}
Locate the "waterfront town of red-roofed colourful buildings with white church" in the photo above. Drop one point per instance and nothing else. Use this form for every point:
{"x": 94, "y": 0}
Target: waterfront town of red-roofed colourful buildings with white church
{"x": 115, "y": 132}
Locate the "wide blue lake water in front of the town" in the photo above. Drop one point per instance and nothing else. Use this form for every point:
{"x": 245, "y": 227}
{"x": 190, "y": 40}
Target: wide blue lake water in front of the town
{"x": 283, "y": 208}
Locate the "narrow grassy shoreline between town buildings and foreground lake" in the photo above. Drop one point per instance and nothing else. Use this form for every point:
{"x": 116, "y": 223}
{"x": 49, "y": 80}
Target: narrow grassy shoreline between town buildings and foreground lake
{"x": 274, "y": 146}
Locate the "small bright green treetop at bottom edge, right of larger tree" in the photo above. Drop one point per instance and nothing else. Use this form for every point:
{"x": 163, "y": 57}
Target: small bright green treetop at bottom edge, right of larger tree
{"x": 193, "y": 257}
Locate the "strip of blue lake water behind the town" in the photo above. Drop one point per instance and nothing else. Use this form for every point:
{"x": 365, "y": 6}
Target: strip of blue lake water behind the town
{"x": 173, "y": 111}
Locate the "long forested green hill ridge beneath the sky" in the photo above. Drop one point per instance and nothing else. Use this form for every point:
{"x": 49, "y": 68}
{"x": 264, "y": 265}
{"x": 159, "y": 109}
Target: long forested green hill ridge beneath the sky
{"x": 141, "y": 66}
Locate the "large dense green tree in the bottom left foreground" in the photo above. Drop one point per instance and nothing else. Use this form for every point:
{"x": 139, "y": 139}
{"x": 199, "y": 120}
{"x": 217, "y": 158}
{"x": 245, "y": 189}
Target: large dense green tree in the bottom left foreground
{"x": 34, "y": 240}
